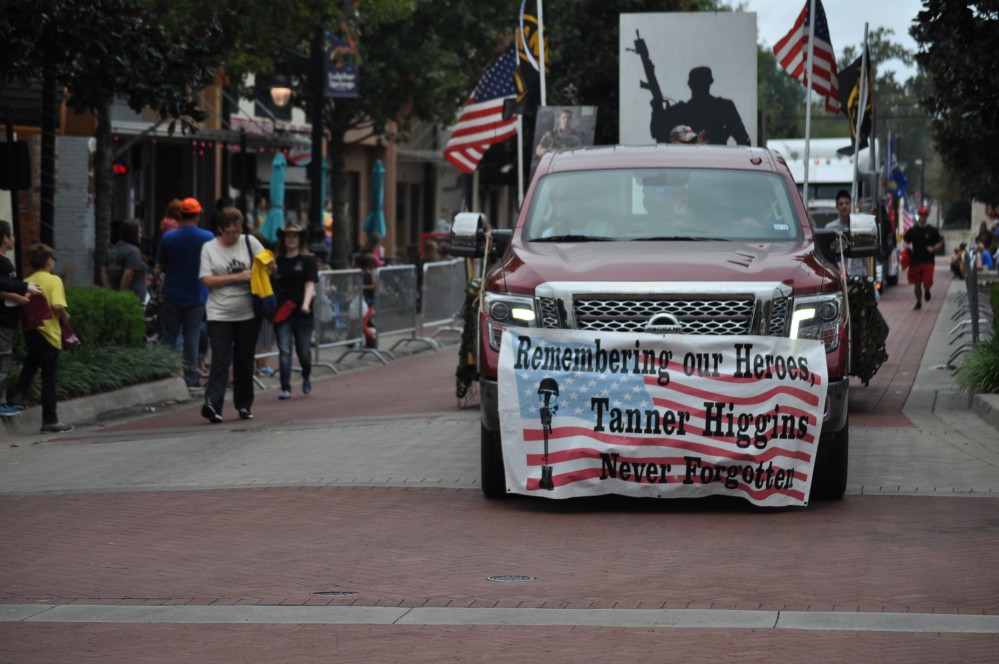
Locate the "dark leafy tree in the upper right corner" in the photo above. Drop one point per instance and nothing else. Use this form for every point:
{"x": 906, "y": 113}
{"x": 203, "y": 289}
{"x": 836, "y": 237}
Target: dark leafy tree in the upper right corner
{"x": 957, "y": 41}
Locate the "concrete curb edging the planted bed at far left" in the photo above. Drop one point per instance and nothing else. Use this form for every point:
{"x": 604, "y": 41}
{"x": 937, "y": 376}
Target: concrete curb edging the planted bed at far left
{"x": 88, "y": 409}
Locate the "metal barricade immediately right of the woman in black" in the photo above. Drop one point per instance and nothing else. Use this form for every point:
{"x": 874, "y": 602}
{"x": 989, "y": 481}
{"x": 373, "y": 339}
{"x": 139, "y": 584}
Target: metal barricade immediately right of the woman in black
{"x": 339, "y": 312}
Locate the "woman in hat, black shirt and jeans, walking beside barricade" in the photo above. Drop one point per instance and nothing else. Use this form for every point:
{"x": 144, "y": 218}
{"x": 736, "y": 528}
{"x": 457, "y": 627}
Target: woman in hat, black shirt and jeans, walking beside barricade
{"x": 295, "y": 287}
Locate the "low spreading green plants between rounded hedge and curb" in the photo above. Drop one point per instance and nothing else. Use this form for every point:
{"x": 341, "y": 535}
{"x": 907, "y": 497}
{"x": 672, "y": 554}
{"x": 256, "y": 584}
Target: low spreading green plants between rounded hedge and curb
{"x": 92, "y": 369}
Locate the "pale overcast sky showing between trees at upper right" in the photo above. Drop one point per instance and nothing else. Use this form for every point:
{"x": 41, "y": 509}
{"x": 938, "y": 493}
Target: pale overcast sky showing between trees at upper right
{"x": 846, "y": 18}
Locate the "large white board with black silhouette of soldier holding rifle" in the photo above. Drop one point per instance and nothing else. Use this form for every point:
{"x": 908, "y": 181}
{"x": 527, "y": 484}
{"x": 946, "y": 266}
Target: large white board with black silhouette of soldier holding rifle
{"x": 690, "y": 70}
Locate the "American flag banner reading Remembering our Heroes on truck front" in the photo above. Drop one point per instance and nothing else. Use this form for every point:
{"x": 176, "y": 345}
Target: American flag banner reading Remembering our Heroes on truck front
{"x": 660, "y": 416}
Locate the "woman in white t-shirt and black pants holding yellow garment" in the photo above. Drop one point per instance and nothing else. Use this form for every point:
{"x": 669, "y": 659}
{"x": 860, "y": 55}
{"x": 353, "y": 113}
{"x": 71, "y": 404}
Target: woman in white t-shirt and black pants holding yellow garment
{"x": 233, "y": 326}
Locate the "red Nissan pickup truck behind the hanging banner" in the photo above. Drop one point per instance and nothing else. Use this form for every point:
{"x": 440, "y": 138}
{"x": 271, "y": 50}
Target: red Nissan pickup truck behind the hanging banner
{"x": 666, "y": 239}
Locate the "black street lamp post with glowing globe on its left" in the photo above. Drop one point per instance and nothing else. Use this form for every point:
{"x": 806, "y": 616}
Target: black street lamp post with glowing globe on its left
{"x": 281, "y": 95}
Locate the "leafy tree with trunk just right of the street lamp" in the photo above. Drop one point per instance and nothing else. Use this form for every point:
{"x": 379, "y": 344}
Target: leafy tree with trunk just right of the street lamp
{"x": 419, "y": 60}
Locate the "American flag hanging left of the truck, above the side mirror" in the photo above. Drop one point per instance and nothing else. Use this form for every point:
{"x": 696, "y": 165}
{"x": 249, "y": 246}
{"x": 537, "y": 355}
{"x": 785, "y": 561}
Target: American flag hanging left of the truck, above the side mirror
{"x": 481, "y": 123}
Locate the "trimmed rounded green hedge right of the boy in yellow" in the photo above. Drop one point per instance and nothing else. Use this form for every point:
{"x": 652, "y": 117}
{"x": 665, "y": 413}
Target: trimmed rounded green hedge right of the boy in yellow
{"x": 105, "y": 317}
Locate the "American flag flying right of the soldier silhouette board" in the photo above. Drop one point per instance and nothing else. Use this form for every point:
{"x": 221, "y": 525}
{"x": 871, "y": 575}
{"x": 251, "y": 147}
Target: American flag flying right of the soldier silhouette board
{"x": 792, "y": 53}
